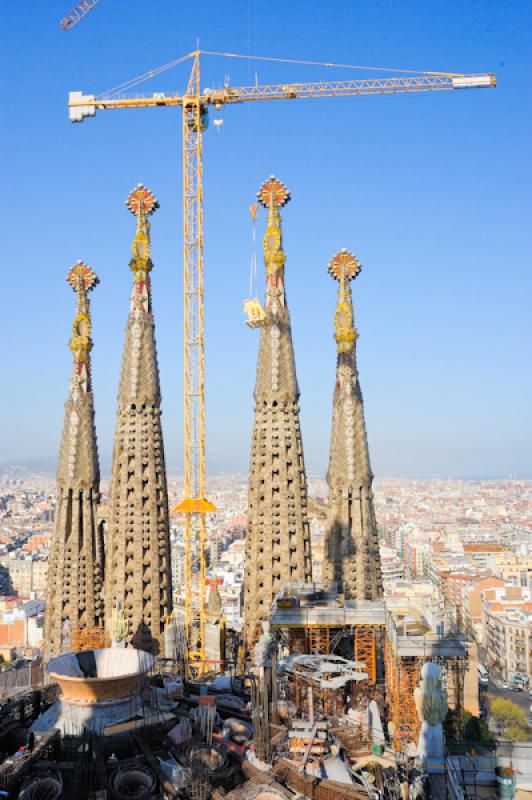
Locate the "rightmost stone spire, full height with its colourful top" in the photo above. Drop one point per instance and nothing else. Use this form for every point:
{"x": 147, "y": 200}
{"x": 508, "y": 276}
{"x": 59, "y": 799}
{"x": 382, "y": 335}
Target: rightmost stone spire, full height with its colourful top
{"x": 351, "y": 550}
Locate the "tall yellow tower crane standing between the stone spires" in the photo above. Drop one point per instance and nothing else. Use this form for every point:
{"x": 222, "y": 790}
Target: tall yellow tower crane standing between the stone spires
{"x": 194, "y": 104}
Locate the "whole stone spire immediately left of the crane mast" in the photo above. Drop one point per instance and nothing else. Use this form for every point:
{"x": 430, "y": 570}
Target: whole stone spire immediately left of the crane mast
{"x": 138, "y": 539}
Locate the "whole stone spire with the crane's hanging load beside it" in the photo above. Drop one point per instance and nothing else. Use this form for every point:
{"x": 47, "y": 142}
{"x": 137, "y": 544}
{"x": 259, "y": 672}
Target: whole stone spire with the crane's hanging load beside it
{"x": 278, "y": 538}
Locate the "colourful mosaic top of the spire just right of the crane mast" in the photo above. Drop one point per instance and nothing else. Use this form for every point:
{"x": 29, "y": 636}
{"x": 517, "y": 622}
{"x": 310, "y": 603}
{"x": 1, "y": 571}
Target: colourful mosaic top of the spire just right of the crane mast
{"x": 273, "y": 195}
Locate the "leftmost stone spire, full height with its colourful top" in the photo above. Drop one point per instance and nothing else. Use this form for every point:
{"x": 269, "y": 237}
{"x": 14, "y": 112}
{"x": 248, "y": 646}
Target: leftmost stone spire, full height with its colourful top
{"x": 76, "y": 564}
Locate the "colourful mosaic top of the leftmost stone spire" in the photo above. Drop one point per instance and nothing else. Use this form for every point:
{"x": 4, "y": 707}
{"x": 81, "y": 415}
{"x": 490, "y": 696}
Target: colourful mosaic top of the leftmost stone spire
{"x": 82, "y": 279}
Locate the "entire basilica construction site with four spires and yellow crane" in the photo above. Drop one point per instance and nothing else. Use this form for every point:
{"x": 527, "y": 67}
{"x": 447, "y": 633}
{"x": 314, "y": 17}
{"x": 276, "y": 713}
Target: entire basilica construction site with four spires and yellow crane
{"x": 328, "y": 693}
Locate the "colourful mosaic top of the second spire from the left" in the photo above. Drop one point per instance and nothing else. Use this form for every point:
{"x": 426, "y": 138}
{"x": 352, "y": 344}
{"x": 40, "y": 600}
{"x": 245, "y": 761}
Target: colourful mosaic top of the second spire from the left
{"x": 142, "y": 203}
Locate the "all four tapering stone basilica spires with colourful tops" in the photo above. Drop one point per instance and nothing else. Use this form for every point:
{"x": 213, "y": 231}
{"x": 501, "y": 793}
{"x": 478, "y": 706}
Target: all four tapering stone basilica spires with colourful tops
{"x": 123, "y": 561}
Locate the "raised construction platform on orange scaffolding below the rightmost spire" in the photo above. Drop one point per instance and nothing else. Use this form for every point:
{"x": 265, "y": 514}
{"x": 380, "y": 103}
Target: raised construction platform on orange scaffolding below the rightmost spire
{"x": 392, "y": 646}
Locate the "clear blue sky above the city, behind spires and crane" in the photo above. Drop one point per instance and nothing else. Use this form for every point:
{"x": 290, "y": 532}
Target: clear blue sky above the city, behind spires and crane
{"x": 432, "y": 192}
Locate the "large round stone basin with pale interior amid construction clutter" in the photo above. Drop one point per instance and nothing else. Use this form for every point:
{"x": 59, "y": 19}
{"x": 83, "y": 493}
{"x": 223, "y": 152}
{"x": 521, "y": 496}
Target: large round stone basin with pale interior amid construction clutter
{"x": 95, "y": 676}
